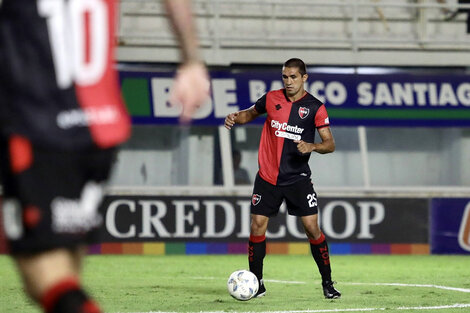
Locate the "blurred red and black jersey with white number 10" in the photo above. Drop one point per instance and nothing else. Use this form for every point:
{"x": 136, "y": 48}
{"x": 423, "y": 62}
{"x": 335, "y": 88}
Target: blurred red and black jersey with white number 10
{"x": 58, "y": 85}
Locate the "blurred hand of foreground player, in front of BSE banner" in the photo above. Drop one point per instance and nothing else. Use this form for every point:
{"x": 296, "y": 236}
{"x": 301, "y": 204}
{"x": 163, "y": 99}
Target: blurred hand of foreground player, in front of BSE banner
{"x": 190, "y": 89}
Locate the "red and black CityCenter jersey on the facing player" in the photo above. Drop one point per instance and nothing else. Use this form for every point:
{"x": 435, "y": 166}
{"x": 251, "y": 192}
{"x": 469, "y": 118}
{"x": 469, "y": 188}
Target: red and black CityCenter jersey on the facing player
{"x": 280, "y": 162}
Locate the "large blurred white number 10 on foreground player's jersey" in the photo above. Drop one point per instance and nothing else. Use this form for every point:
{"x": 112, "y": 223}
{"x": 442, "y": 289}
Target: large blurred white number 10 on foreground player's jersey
{"x": 78, "y": 33}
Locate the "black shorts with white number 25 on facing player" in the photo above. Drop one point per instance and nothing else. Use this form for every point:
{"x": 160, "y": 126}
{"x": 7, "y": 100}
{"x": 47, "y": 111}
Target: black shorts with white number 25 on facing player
{"x": 301, "y": 198}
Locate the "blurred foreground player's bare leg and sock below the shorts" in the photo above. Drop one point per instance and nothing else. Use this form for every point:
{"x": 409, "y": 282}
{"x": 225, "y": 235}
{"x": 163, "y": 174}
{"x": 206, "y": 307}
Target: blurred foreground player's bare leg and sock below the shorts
{"x": 52, "y": 280}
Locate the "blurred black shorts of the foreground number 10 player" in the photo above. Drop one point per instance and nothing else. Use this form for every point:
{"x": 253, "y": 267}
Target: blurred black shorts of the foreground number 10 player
{"x": 53, "y": 201}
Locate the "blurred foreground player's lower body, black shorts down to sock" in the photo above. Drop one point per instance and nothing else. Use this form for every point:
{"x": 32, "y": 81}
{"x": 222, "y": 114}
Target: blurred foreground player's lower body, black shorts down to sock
{"x": 48, "y": 221}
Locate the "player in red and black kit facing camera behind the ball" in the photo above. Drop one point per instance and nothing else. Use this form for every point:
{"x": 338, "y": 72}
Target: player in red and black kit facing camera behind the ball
{"x": 287, "y": 140}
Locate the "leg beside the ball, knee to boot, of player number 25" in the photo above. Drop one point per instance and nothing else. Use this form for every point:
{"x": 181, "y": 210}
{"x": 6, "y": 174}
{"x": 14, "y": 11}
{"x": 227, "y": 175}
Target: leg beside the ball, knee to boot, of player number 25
{"x": 257, "y": 248}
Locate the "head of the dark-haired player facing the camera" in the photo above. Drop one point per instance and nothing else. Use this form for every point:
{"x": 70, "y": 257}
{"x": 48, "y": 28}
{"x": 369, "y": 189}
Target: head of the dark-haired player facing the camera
{"x": 294, "y": 75}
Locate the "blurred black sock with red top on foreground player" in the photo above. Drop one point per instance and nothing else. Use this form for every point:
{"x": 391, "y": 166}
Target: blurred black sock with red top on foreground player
{"x": 68, "y": 297}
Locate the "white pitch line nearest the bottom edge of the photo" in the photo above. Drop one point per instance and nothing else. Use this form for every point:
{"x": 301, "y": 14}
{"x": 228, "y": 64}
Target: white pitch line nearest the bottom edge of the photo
{"x": 417, "y": 308}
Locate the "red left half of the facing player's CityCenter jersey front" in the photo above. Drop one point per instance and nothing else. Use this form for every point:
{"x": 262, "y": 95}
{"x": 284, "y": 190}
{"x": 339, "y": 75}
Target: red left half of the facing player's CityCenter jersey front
{"x": 271, "y": 146}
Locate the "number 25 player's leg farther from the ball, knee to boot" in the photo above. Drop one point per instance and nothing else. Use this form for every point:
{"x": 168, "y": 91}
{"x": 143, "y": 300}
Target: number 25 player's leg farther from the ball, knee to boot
{"x": 320, "y": 253}
